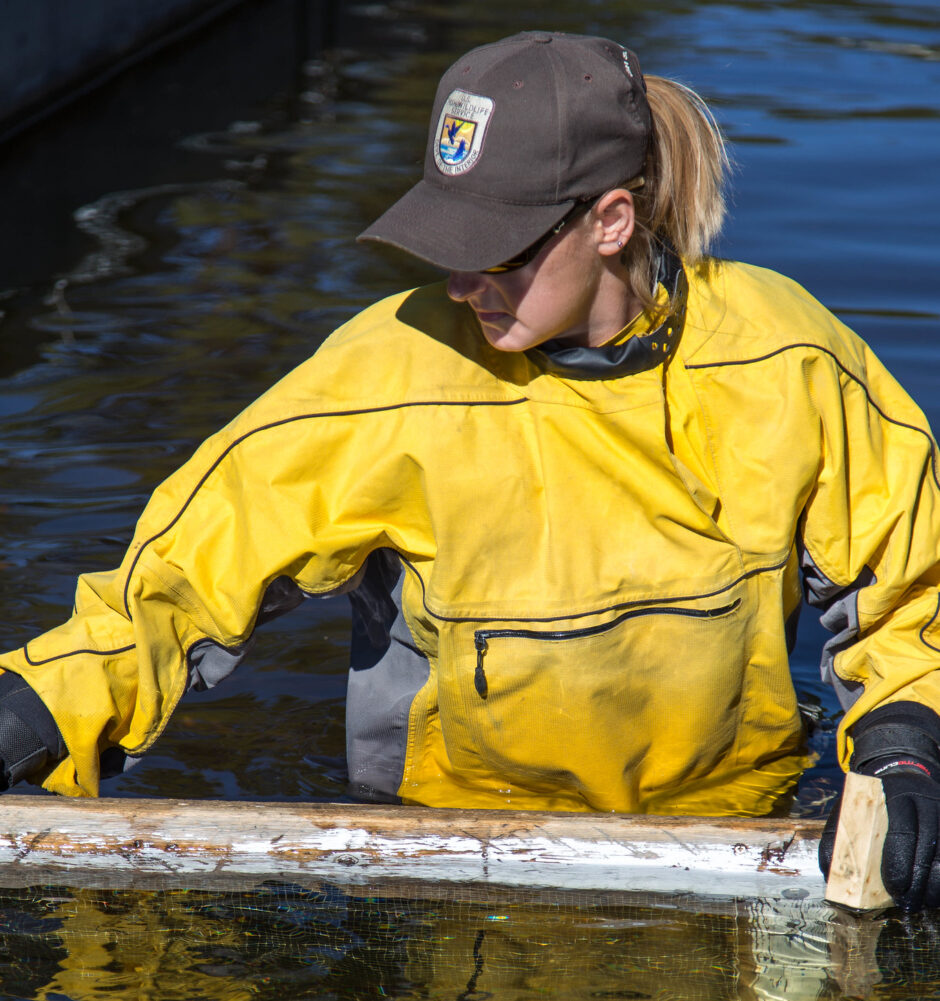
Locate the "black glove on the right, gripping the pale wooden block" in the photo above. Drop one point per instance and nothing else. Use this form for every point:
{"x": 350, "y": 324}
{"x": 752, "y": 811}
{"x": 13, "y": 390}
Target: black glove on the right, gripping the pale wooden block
{"x": 900, "y": 744}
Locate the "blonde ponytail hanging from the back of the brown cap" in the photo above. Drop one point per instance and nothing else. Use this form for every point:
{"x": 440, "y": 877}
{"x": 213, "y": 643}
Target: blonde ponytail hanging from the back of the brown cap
{"x": 682, "y": 201}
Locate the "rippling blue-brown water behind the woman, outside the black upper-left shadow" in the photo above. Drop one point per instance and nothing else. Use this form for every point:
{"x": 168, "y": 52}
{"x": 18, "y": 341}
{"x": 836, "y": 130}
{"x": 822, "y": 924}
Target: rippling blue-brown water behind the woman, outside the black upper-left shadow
{"x": 195, "y": 296}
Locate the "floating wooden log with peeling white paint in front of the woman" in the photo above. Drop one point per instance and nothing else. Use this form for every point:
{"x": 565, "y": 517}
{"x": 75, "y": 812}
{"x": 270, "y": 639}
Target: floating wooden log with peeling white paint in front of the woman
{"x": 175, "y": 843}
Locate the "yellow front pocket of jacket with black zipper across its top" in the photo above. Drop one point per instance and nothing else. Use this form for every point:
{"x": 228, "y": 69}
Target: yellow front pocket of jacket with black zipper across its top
{"x": 612, "y": 712}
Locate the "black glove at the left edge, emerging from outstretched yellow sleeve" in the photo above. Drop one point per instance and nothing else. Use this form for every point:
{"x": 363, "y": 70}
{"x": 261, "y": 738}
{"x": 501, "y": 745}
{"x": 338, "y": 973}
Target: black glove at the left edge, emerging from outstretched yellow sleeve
{"x": 30, "y": 737}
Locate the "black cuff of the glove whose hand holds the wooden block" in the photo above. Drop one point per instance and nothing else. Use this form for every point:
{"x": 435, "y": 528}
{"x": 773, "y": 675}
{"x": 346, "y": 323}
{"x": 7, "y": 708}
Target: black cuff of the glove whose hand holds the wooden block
{"x": 900, "y": 737}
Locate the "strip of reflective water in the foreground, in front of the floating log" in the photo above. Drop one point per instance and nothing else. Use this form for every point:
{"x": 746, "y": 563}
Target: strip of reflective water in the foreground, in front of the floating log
{"x": 283, "y": 940}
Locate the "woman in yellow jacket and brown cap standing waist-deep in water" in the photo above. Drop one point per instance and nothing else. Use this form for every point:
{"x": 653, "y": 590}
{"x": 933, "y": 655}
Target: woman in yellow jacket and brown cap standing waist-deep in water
{"x": 576, "y": 493}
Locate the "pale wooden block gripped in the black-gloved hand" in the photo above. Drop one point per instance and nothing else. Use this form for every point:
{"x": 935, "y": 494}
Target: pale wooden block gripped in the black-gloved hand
{"x": 855, "y": 875}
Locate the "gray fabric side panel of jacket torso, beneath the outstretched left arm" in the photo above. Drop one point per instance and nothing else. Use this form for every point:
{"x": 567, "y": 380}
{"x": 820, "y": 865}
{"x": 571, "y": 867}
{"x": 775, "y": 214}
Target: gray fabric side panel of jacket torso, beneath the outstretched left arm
{"x": 386, "y": 672}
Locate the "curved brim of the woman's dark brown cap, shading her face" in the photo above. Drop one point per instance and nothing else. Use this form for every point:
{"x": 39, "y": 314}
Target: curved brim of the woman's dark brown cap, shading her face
{"x": 462, "y": 233}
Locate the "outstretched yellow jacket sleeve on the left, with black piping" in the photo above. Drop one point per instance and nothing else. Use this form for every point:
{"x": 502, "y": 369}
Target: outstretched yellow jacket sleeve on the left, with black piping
{"x": 292, "y": 490}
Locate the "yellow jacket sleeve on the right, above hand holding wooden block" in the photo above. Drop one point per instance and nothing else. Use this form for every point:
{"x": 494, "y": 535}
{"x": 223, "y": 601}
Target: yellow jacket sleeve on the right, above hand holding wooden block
{"x": 871, "y": 538}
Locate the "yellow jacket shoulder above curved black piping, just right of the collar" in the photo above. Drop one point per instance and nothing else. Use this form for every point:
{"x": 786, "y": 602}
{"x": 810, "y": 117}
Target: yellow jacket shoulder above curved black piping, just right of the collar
{"x": 740, "y": 313}
